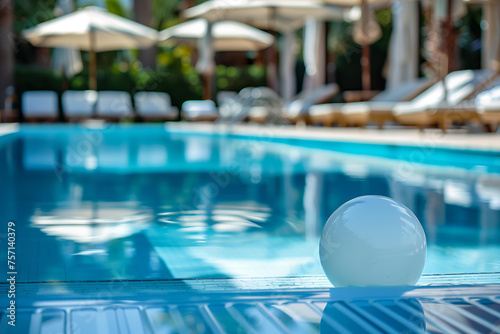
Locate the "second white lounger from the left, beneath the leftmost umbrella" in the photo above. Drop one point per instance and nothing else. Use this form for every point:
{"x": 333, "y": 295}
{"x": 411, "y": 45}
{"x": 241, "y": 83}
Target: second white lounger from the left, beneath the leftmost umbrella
{"x": 78, "y": 105}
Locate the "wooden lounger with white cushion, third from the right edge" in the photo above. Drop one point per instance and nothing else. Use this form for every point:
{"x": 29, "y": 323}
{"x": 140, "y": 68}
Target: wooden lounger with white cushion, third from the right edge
{"x": 378, "y": 109}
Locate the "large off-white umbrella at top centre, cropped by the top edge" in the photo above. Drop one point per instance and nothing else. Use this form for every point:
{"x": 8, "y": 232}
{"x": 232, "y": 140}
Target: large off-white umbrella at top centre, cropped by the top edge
{"x": 277, "y": 15}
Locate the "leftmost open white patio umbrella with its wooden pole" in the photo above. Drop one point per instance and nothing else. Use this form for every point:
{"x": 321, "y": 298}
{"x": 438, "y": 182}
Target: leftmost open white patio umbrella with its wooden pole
{"x": 92, "y": 29}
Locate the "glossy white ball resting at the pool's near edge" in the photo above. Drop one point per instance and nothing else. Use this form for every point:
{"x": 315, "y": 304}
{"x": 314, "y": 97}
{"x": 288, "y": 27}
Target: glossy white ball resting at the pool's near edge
{"x": 373, "y": 241}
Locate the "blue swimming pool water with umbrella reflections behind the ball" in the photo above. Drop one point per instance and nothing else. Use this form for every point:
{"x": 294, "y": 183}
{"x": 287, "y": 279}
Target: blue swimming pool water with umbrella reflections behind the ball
{"x": 142, "y": 202}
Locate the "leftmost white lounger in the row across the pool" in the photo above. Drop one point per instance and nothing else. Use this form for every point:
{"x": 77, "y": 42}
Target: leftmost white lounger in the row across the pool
{"x": 40, "y": 106}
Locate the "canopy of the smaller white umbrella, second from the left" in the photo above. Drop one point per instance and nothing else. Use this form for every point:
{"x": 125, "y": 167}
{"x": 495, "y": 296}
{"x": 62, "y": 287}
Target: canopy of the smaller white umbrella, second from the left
{"x": 227, "y": 35}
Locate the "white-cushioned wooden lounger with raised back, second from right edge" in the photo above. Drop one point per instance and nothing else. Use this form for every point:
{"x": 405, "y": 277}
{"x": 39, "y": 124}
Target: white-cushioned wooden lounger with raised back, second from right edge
{"x": 435, "y": 107}
